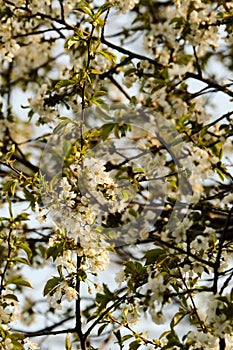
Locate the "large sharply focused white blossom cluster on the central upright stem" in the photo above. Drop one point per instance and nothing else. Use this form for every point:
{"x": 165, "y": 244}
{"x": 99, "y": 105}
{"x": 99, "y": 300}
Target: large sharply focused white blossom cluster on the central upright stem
{"x": 78, "y": 210}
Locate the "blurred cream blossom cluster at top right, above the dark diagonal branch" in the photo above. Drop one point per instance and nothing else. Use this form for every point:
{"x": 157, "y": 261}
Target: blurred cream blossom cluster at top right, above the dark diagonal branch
{"x": 192, "y": 23}
